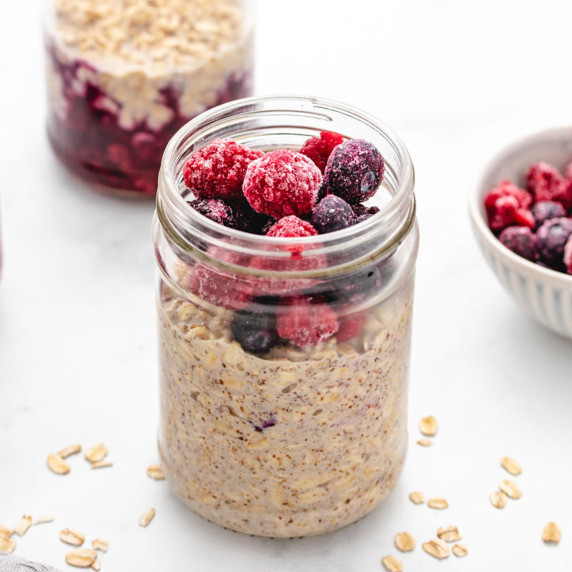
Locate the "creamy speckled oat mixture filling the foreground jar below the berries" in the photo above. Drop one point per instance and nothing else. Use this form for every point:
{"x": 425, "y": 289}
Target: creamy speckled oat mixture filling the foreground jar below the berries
{"x": 292, "y": 444}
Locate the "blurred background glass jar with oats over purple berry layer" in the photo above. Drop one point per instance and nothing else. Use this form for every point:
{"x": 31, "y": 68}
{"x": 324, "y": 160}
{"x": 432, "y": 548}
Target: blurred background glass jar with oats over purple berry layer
{"x": 124, "y": 75}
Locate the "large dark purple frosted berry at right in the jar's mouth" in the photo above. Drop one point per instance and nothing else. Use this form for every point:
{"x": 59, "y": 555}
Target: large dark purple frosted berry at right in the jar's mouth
{"x": 354, "y": 171}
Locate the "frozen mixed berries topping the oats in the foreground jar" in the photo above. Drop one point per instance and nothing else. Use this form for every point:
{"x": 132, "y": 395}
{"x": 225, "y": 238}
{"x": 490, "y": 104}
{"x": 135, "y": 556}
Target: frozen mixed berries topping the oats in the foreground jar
{"x": 285, "y": 194}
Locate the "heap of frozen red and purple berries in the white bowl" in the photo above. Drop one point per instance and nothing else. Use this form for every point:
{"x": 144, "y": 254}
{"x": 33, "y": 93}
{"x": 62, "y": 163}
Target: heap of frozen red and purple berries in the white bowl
{"x": 535, "y": 222}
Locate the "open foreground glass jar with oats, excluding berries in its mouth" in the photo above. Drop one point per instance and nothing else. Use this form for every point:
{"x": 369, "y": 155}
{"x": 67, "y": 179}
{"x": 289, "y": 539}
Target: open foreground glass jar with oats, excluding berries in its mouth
{"x": 288, "y": 441}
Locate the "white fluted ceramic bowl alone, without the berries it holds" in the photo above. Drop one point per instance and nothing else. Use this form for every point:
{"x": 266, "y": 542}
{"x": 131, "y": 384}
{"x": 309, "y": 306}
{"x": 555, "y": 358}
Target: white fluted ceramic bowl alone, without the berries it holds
{"x": 545, "y": 294}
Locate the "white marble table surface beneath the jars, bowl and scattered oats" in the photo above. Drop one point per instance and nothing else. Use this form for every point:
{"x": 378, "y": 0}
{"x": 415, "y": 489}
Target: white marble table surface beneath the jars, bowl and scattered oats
{"x": 457, "y": 80}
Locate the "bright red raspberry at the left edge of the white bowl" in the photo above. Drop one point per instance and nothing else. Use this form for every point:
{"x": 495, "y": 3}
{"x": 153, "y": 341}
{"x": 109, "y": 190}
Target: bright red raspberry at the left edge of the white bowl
{"x": 506, "y": 205}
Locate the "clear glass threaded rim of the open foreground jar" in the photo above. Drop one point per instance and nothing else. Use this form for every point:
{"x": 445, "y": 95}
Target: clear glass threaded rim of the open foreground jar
{"x": 171, "y": 204}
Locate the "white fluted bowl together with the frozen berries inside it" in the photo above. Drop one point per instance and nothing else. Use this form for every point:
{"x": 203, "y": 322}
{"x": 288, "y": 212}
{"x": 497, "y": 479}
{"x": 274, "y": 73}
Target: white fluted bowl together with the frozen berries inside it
{"x": 521, "y": 207}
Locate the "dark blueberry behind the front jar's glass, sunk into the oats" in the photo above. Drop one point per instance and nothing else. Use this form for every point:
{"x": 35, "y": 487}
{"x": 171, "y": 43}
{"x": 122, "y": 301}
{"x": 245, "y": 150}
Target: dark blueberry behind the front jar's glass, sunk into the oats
{"x": 254, "y": 328}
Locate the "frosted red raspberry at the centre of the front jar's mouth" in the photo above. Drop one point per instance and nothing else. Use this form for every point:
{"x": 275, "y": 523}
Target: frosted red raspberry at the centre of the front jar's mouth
{"x": 282, "y": 183}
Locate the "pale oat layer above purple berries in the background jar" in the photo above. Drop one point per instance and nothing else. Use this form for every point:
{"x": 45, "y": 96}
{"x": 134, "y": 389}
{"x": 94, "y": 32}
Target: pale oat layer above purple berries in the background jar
{"x": 137, "y": 48}
